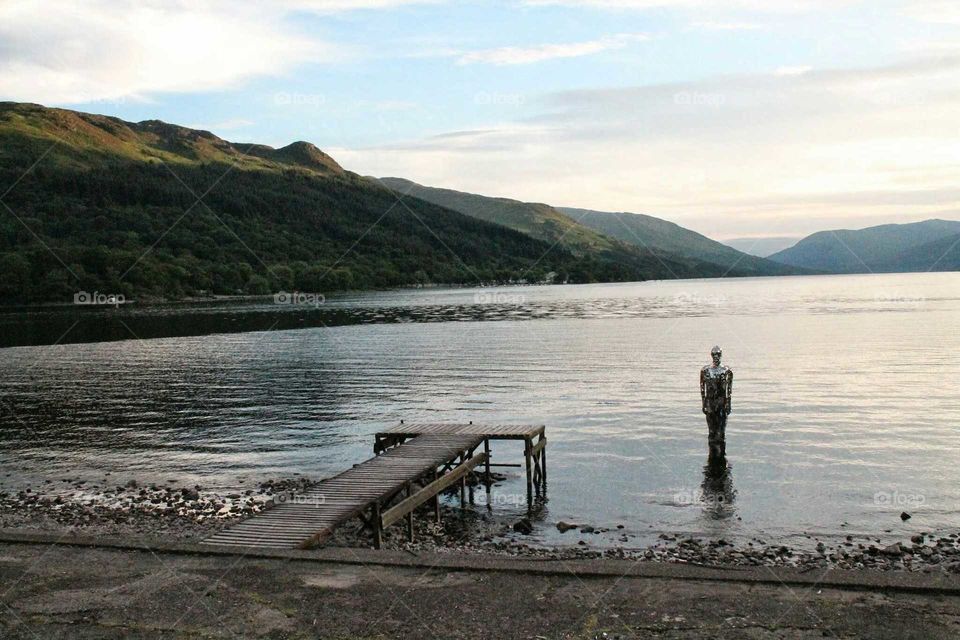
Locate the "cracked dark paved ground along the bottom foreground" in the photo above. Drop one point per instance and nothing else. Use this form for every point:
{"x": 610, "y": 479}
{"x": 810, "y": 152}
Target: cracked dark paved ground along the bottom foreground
{"x": 69, "y": 592}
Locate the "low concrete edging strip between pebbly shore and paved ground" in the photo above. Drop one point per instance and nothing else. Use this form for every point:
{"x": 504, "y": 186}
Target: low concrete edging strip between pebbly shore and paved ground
{"x": 904, "y": 582}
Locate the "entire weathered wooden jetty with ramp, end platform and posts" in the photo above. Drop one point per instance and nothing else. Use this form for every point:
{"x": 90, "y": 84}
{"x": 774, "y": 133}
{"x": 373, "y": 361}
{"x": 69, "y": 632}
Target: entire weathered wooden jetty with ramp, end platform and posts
{"x": 414, "y": 463}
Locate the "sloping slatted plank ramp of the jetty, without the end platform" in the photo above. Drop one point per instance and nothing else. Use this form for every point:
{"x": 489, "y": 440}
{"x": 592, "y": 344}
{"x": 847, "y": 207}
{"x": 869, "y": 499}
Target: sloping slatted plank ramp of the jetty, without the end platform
{"x": 308, "y": 518}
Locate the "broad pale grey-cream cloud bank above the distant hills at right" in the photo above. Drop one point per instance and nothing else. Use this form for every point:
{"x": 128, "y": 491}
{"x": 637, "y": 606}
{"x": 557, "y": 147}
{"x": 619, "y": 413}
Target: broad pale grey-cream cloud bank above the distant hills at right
{"x": 735, "y": 155}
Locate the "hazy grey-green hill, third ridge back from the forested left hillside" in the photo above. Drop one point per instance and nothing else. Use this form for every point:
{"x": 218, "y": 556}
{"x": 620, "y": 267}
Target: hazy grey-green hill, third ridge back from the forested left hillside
{"x": 657, "y": 234}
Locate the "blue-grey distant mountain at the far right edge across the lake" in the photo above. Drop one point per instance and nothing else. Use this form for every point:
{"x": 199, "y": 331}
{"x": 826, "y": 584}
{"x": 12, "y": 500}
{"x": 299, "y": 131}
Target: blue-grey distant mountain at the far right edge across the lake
{"x": 917, "y": 246}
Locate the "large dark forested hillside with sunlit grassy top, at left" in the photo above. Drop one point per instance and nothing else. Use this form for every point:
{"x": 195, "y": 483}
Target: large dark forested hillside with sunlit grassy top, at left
{"x": 96, "y": 203}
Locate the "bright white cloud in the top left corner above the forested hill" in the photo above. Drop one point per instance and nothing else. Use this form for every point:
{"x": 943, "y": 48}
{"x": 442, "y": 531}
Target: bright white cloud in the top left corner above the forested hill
{"x": 103, "y": 50}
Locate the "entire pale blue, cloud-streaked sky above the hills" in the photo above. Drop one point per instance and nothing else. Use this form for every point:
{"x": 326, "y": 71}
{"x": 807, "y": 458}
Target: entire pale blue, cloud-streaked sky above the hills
{"x": 741, "y": 118}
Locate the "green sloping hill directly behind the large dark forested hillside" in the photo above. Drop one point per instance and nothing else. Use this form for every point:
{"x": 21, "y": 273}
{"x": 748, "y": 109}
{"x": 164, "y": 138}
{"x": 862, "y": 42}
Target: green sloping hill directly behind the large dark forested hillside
{"x": 557, "y": 227}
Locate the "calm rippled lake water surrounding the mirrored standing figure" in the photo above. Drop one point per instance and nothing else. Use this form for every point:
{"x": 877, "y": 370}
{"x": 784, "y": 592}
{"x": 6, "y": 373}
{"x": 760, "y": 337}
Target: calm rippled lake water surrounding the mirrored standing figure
{"x": 846, "y": 406}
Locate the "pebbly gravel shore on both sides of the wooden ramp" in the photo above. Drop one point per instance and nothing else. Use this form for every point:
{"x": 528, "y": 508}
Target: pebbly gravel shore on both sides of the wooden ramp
{"x": 192, "y": 513}
